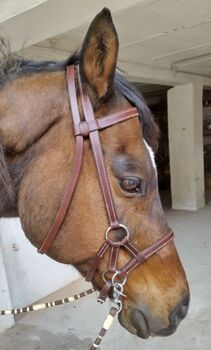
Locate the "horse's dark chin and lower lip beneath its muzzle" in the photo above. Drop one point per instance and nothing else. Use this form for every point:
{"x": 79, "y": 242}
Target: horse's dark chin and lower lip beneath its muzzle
{"x": 135, "y": 322}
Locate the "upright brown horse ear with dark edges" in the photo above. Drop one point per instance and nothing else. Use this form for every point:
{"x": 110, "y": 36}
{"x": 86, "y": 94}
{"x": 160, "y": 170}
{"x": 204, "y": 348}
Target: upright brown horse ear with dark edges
{"x": 99, "y": 54}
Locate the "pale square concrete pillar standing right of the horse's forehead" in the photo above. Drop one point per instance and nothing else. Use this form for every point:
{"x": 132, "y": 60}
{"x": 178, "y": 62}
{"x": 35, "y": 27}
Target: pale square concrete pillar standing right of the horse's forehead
{"x": 185, "y": 123}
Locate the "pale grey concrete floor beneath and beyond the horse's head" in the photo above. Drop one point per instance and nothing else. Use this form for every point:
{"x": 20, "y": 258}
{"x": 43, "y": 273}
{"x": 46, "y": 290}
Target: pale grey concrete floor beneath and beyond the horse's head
{"x": 71, "y": 327}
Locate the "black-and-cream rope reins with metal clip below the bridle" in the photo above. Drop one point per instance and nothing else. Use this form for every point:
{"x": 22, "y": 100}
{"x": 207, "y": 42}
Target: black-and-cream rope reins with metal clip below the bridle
{"x": 116, "y": 306}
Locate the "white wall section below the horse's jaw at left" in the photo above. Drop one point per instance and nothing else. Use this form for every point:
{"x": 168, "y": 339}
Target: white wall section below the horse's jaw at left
{"x": 30, "y": 276}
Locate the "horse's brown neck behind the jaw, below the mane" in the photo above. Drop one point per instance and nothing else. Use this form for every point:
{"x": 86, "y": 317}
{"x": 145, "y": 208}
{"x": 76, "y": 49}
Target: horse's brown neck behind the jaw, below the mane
{"x": 29, "y": 106}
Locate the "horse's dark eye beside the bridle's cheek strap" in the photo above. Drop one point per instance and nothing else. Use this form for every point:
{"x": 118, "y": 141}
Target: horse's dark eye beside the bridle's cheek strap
{"x": 133, "y": 184}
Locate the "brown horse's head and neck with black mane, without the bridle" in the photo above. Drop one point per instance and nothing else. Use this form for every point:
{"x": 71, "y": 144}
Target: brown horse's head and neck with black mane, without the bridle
{"x": 36, "y": 156}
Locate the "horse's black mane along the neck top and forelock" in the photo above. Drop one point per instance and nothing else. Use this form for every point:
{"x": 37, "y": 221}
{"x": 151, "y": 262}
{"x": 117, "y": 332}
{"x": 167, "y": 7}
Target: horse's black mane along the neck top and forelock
{"x": 13, "y": 66}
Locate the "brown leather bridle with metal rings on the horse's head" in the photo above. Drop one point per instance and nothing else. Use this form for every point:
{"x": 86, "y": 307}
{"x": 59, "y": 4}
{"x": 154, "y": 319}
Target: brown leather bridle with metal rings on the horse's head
{"x": 90, "y": 127}
